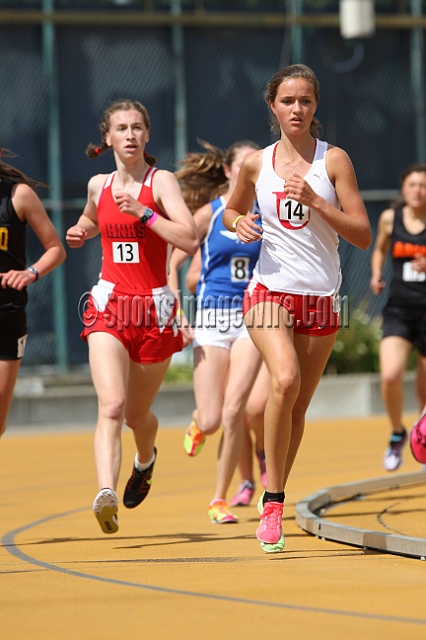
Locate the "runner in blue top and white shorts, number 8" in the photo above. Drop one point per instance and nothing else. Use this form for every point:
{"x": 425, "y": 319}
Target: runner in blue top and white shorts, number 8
{"x": 226, "y": 362}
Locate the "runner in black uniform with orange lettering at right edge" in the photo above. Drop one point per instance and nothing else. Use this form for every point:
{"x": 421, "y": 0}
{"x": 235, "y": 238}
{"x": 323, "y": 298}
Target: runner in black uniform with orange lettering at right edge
{"x": 402, "y": 232}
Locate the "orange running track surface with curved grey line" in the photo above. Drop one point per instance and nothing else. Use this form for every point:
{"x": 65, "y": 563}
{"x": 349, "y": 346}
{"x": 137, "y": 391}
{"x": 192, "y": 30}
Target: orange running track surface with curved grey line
{"x": 169, "y": 573}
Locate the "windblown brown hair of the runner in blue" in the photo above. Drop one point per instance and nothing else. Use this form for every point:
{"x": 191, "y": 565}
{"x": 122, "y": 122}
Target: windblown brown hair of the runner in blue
{"x": 201, "y": 173}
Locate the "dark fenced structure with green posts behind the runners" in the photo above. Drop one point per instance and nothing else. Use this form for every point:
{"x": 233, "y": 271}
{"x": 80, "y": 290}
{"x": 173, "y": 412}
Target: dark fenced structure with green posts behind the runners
{"x": 200, "y": 67}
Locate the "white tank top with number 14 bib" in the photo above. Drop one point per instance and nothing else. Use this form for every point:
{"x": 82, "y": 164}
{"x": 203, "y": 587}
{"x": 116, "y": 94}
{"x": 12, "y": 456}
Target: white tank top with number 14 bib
{"x": 298, "y": 251}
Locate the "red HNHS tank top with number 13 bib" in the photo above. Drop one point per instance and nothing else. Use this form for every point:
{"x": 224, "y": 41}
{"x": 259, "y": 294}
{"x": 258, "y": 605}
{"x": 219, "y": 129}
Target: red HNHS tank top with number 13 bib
{"x": 134, "y": 258}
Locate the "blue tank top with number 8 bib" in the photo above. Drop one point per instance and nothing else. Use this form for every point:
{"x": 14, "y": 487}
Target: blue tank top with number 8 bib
{"x": 227, "y": 264}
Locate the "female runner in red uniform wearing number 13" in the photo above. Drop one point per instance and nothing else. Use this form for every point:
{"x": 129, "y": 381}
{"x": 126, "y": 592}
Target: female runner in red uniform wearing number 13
{"x": 130, "y": 315}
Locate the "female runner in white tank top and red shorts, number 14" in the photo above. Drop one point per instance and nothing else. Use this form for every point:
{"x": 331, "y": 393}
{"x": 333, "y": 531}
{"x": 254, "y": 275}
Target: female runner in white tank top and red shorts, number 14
{"x": 308, "y": 196}
